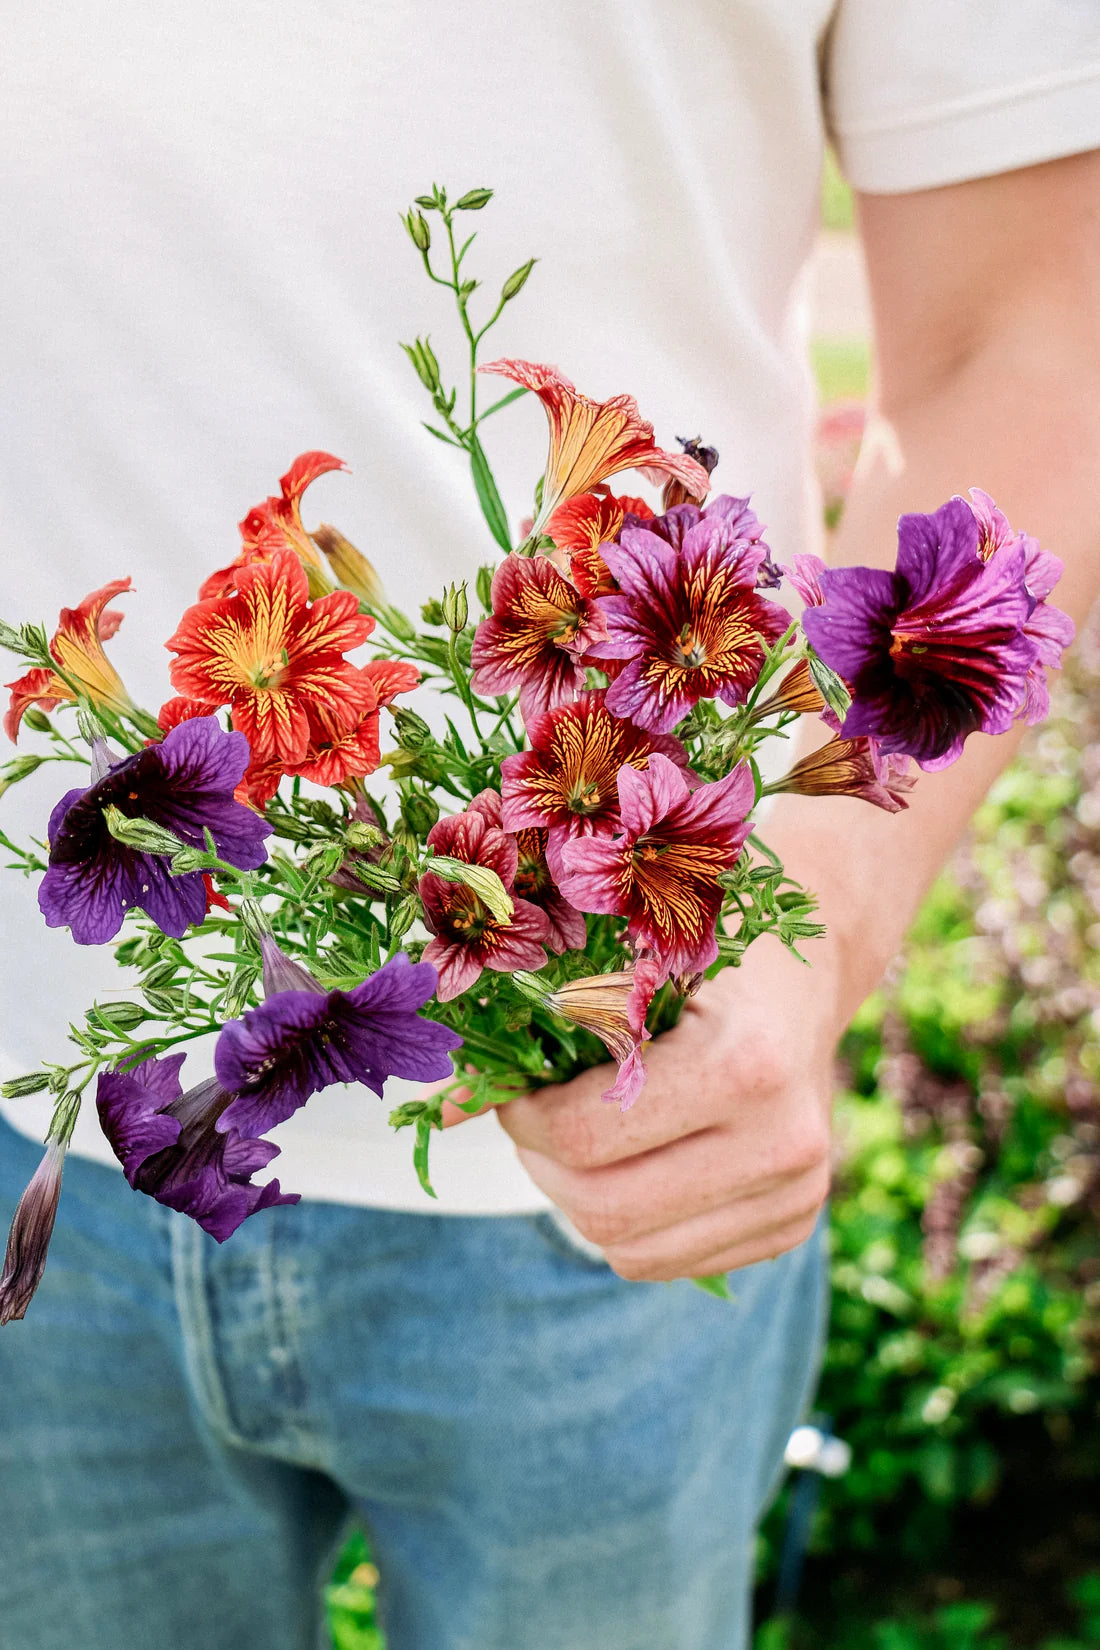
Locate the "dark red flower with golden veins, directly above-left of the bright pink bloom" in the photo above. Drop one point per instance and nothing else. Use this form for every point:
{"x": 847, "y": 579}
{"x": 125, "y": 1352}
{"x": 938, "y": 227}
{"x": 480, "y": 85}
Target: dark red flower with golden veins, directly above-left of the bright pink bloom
{"x": 568, "y": 783}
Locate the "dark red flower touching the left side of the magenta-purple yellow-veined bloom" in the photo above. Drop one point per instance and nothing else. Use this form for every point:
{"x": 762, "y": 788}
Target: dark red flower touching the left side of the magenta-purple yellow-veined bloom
{"x": 540, "y": 629}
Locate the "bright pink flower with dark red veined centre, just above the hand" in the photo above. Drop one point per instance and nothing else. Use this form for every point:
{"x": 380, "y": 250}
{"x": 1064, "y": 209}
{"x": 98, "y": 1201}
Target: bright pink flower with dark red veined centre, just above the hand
{"x": 662, "y": 872}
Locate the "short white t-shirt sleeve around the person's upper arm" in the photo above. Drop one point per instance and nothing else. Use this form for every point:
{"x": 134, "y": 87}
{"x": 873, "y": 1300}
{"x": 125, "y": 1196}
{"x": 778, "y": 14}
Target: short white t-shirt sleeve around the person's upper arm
{"x": 921, "y": 93}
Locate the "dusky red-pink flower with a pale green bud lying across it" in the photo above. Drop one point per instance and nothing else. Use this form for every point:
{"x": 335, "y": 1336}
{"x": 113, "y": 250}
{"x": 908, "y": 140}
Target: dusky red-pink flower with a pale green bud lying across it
{"x": 468, "y": 936}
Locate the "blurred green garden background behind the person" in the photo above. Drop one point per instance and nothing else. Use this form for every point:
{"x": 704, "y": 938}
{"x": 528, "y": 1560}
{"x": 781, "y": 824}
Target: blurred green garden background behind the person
{"x": 964, "y": 1359}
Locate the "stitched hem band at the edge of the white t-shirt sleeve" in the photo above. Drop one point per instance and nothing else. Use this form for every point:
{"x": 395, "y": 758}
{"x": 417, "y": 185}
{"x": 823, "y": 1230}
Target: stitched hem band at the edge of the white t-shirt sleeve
{"x": 959, "y": 143}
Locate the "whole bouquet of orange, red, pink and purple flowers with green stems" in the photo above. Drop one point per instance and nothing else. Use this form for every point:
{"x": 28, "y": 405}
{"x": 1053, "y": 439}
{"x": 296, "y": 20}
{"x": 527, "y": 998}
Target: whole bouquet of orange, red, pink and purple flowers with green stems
{"x": 538, "y": 870}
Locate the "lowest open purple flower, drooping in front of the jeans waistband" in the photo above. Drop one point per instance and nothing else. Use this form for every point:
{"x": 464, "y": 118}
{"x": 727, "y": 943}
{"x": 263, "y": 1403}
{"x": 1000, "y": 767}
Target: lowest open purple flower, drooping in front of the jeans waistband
{"x": 177, "y": 1148}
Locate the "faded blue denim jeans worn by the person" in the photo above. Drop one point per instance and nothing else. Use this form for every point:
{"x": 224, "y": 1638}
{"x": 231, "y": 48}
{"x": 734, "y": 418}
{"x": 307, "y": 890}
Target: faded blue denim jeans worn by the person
{"x": 545, "y": 1458}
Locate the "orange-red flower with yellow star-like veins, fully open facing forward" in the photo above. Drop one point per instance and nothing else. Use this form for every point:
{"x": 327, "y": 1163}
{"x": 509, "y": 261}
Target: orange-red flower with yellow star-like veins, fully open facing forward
{"x": 276, "y": 659}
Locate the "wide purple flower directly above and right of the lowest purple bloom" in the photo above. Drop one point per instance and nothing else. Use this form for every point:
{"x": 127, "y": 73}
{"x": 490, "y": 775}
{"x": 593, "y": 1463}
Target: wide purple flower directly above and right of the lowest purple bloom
{"x": 304, "y": 1039}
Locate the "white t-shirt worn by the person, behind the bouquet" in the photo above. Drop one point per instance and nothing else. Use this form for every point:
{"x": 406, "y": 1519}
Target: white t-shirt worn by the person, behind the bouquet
{"x": 204, "y": 275}
